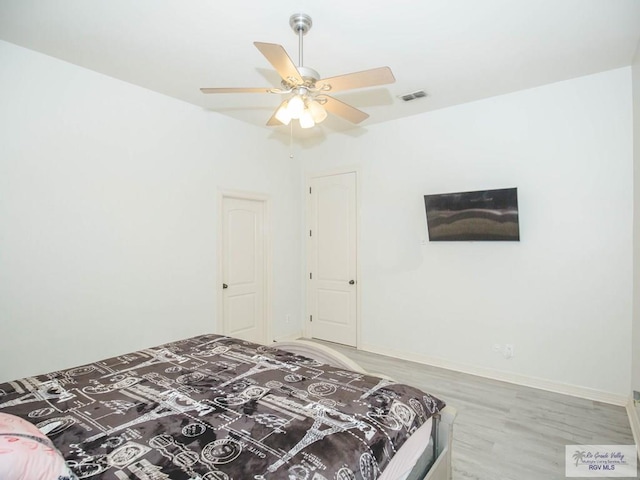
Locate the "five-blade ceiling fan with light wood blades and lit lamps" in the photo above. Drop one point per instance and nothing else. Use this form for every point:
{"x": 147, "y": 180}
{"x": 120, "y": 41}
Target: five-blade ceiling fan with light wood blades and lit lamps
{"x": 309, "y": 101}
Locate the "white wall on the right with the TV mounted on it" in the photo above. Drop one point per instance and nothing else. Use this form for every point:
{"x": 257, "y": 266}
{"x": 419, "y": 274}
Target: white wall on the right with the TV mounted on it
{"x": 562, "y": 295}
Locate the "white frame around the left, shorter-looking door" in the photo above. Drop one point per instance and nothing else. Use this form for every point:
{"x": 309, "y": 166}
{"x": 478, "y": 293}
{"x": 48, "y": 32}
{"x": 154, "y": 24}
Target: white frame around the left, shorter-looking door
{"x": 267, "y": 262}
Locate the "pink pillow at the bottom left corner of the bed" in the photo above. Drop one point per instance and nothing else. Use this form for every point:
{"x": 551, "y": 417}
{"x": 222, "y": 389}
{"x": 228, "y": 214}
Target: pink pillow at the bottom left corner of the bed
{"x": 27, "y": 454}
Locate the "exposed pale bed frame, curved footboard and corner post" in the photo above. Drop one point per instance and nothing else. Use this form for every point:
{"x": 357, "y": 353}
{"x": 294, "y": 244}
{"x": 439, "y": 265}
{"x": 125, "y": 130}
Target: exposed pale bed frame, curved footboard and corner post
{"x": 443, "y": 426}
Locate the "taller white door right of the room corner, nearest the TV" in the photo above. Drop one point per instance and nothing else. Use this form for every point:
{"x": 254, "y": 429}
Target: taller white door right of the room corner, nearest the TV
{"x": 332, "y": 254}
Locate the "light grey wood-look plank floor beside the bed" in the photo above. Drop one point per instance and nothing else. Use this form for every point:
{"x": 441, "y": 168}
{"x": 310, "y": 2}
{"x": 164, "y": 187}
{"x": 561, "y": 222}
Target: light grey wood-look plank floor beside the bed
{"x": 504, "y": 431}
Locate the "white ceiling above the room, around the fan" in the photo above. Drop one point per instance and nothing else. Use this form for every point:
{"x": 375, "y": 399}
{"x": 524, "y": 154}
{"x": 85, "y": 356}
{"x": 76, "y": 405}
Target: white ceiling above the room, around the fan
{"x": 456, "y": 50}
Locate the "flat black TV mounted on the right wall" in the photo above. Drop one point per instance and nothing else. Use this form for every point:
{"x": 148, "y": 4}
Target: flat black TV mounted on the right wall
{"x": 480, "y": 215}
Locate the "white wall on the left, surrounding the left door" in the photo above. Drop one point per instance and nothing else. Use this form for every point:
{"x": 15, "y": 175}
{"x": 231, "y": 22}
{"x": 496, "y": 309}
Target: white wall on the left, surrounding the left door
{"x": 108, "y": 214}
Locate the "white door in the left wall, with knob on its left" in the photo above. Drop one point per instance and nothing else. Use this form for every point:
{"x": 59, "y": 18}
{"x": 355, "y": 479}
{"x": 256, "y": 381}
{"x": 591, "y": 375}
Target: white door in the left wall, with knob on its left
{"x": 243, "y": 269}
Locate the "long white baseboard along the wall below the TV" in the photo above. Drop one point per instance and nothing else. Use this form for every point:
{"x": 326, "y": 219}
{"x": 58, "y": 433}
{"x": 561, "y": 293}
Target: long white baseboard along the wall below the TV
{"x": 540, "y": 383}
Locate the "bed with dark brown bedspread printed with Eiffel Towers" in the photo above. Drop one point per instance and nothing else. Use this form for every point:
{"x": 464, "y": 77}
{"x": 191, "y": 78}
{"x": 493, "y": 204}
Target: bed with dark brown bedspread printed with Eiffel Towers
{"x": 216, "y": 408}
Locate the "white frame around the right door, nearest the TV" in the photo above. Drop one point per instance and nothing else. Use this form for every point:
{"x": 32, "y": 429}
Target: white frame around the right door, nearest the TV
{"x": 307, "y": 331}
